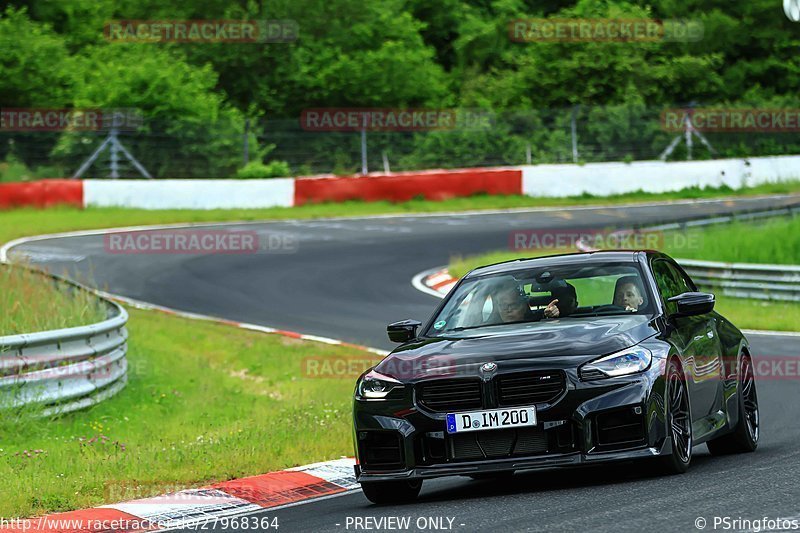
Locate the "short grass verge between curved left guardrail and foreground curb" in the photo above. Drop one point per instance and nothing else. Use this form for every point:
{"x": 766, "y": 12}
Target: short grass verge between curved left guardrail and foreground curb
{"x": 205, "y": 403}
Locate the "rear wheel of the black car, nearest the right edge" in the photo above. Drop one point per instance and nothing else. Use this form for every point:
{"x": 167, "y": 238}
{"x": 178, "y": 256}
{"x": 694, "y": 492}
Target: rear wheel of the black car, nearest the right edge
{"x": 744, "y": 437}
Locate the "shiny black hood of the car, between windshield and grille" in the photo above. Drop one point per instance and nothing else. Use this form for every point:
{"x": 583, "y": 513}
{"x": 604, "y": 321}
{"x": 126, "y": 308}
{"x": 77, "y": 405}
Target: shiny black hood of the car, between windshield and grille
{"x": 545, "y": 345}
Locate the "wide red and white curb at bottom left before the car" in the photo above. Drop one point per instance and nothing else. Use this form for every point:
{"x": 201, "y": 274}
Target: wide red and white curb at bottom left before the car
{"x": 216, "y": 504}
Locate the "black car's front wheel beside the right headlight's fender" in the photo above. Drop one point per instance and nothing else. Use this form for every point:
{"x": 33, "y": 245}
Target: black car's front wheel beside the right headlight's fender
{"x": 679, "y": 423}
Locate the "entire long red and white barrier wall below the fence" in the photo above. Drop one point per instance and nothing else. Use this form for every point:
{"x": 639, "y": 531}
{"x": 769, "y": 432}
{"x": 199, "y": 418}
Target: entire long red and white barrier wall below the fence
{"x": 599, "y": 179}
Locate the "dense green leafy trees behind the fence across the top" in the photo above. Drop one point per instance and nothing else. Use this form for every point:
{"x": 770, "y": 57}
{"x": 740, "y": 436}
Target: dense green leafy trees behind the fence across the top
{"x": 394, "y": 54}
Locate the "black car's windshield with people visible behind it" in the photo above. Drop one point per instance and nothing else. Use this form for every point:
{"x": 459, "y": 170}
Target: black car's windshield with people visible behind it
{"x": 542, "y": 295}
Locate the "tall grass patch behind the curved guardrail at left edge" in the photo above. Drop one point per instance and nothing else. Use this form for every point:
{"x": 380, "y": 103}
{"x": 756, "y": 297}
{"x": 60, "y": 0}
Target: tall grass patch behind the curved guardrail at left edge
{"x": 32, "y": 302}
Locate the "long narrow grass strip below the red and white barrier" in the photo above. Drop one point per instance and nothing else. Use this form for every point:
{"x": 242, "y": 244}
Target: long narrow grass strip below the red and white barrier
{"x": 25, "y": 222}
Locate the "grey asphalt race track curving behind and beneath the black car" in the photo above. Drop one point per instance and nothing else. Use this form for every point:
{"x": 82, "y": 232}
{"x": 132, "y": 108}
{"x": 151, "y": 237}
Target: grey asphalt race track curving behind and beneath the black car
{"x": 348, "y": 278}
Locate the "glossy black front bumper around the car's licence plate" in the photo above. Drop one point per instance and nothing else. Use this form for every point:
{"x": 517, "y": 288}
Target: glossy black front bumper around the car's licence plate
{"x": 570, "y": 432}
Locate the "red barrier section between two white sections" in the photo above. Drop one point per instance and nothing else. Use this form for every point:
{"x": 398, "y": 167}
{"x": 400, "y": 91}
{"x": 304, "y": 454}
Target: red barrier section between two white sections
{"x": 404, "y": 186}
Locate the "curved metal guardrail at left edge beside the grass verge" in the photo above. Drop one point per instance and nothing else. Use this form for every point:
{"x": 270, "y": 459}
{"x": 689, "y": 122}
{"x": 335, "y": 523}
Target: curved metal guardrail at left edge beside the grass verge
{"x": 68, "y": 369}
